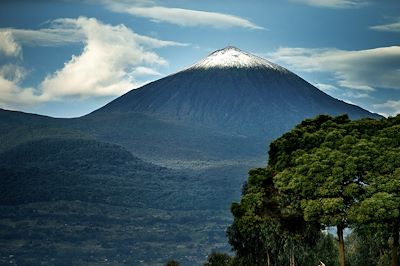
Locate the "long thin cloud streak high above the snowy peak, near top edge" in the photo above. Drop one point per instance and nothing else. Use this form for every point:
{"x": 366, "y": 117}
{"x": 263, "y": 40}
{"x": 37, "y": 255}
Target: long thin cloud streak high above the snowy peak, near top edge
{"x": 182, "y": 17}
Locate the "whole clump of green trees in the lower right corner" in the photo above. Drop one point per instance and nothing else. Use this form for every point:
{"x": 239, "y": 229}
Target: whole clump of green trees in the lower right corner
{"x": 327, "y": 171}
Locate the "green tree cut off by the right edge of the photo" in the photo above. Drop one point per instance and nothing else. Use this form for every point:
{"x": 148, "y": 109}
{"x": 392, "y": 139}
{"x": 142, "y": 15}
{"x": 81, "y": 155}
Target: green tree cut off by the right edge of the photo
{"x": 380, "y": 204}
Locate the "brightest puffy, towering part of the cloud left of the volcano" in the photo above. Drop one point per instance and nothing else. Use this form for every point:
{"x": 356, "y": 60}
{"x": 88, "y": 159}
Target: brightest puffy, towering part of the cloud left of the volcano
{"x": 106, "y": 65}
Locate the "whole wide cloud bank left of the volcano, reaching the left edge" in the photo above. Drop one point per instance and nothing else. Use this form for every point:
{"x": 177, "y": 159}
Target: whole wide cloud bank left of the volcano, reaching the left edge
{"x": 114, "y": 60}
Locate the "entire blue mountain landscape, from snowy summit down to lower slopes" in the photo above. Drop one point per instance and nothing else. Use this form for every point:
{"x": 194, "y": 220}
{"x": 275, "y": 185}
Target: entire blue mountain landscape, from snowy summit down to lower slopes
{"x": 151, "y": 175}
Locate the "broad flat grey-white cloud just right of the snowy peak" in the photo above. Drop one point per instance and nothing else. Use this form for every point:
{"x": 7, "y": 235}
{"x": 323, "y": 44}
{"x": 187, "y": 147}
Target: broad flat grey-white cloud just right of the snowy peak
{"x": 362, "y": 69}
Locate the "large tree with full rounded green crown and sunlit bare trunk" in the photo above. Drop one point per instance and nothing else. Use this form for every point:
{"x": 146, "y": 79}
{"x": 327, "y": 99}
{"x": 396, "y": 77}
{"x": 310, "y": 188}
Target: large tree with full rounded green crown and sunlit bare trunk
{"x": 320, "y": 170}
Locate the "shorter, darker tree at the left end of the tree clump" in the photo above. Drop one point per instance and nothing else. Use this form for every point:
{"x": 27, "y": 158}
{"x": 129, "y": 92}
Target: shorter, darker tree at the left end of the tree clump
{"x": 263, "y": 231}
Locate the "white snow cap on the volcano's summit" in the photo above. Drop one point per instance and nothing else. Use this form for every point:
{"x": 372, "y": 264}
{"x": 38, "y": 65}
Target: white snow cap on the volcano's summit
{"x": 232, "y": 57}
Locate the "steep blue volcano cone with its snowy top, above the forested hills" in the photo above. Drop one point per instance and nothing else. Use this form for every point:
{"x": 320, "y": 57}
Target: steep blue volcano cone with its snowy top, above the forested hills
{"x": 233, "y": 92}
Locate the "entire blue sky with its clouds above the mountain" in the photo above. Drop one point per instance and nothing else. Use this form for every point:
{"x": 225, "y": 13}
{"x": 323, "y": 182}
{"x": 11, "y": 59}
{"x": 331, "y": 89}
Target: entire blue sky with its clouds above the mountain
{"x": 68, "y": 58}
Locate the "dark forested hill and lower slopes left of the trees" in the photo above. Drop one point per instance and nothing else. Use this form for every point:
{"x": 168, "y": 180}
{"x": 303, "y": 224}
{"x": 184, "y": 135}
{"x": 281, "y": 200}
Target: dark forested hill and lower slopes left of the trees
{"x": 77, "y": 201}
